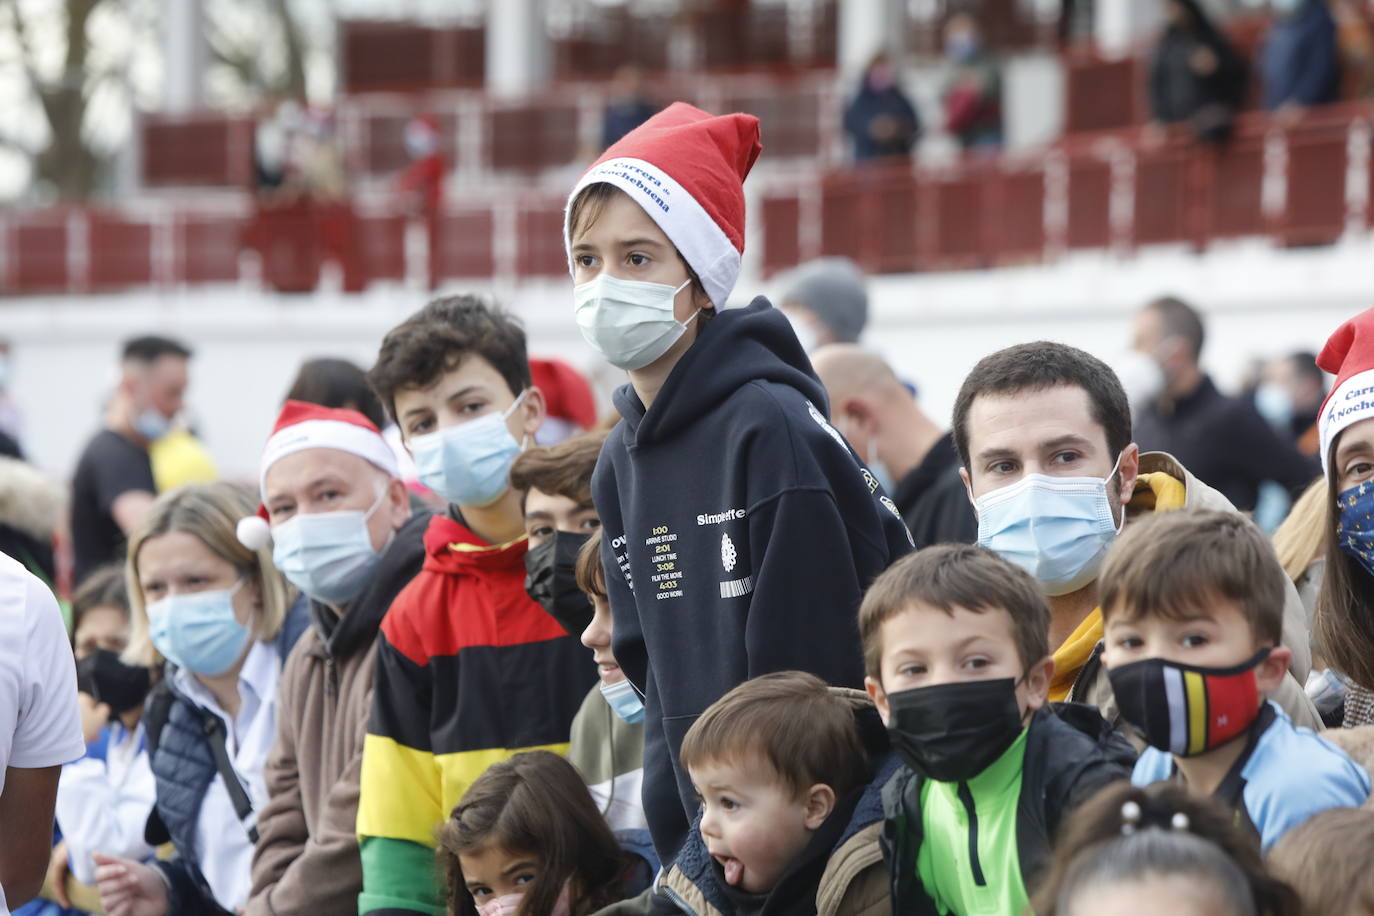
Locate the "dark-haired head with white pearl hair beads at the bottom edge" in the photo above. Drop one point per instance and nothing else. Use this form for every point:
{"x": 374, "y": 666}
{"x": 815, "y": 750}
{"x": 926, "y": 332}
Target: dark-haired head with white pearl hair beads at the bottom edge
{"x": 1164, "y": 848}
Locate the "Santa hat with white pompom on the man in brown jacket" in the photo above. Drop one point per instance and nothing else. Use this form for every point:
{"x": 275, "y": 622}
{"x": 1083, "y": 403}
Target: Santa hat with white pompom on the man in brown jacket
{"x": 310, "y": 426}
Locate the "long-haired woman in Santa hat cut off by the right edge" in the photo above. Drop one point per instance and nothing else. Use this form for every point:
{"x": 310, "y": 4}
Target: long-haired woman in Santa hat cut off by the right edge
{"x": 1344, "y": 620}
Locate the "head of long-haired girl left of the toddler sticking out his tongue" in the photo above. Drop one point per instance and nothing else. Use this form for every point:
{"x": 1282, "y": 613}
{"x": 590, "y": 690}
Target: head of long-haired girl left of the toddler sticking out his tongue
{"x": 528, "y": 840}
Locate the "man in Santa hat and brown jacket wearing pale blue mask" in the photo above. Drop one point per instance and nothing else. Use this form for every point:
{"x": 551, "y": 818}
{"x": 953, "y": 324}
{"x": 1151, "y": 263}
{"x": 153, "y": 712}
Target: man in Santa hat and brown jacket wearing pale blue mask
{"x": 343, "y": 534}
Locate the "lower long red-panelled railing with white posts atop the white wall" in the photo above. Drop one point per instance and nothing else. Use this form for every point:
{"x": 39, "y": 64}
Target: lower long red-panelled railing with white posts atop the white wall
{"x": 1309, "y": 185}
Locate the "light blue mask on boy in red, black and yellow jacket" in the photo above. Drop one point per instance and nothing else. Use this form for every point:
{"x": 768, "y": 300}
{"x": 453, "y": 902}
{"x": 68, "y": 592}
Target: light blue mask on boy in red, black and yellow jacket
{"x": 471, "y": 463}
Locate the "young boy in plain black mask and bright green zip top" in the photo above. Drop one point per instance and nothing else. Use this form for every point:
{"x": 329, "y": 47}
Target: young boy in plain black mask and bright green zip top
{"x": 957, "y": 650}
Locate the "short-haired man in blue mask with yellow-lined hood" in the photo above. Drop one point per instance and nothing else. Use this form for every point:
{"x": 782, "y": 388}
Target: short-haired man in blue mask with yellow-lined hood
{"x": 1044, "y": 432}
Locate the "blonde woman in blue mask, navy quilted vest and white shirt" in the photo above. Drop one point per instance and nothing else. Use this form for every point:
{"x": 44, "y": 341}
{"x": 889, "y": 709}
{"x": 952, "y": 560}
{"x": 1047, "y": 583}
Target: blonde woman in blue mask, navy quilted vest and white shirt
{"x": 222, "y": 619}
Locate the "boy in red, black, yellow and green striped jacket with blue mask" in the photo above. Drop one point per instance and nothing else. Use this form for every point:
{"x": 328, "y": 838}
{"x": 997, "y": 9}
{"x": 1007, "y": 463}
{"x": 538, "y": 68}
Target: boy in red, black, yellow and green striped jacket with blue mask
{"x": 471, "y": 669}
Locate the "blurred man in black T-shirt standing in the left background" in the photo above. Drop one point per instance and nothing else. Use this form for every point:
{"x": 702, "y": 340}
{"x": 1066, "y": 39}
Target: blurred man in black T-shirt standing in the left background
{"x": 113, "y": 485}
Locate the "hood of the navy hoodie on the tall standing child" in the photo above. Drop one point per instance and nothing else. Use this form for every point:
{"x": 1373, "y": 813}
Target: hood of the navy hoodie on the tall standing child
{"x": 754, "y": 344}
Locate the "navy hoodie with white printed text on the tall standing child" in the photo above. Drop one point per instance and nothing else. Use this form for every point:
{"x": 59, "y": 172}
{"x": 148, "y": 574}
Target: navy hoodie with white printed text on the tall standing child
{"x": 748, "y": 529}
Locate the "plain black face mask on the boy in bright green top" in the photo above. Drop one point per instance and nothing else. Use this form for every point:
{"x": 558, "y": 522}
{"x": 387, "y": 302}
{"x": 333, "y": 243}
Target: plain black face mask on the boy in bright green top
{"x": 953, "y": 733}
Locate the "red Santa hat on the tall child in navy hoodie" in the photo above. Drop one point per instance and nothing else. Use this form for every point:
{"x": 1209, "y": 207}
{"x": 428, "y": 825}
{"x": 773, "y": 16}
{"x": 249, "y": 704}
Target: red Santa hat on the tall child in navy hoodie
{"x": 688, "y": 170}
